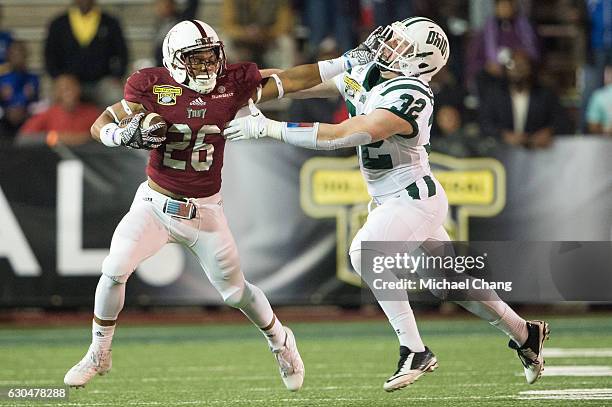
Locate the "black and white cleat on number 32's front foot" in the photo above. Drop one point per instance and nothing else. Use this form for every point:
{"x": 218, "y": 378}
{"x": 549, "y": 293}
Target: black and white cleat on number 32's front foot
{"x": 410, "y": 367}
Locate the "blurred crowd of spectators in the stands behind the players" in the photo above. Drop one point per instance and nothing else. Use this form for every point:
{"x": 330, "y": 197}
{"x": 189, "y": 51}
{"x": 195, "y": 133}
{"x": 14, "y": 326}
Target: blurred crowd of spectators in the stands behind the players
{"x": 498, "y": 88}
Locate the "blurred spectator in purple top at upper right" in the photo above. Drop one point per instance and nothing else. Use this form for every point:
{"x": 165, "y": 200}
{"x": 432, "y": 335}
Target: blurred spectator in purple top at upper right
{"x": 507, "y": 30}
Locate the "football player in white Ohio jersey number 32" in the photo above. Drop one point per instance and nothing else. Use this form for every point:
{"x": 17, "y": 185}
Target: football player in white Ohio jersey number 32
{"x": 390, "y": 105}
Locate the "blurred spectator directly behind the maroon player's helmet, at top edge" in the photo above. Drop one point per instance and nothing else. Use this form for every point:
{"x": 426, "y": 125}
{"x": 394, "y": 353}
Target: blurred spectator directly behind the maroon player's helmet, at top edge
{"x": 167, "y": 16}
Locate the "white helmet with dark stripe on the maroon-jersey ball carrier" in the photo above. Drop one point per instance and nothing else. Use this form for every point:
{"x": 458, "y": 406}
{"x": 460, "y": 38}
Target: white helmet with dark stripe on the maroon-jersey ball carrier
{"x": 181, "y": 43}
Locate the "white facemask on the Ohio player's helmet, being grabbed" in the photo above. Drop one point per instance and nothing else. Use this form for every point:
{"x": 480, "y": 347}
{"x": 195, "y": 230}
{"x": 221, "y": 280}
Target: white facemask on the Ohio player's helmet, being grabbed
{"x": 398, "y": 52}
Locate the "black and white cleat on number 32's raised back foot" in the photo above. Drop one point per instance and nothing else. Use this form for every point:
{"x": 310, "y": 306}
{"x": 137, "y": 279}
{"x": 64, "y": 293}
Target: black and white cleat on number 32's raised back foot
{"x": 530, "y": 353}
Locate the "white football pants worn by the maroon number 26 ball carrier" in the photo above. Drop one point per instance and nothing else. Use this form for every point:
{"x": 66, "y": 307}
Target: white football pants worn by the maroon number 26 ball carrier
{"x": 145, "y": 229}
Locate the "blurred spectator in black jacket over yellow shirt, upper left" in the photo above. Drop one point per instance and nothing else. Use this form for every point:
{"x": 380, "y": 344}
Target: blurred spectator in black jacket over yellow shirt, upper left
{"x": 88, "y": 43}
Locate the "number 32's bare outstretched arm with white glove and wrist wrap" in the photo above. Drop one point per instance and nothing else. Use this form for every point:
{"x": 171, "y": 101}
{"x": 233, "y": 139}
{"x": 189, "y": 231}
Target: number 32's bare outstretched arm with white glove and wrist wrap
{"x": 364, "y": 129}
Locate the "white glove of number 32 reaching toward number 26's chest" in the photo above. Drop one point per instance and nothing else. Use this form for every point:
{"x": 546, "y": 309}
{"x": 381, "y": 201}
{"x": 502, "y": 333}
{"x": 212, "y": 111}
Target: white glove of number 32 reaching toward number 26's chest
{"x": 254, "y": 126}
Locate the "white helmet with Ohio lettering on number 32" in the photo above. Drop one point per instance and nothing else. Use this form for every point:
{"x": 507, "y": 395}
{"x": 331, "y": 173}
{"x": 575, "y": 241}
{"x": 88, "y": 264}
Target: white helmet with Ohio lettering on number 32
{"x": 415, "y": 46}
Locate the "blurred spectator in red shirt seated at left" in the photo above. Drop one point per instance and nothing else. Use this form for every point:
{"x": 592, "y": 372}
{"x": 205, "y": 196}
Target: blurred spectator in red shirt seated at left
{"x": 68, "y": 119}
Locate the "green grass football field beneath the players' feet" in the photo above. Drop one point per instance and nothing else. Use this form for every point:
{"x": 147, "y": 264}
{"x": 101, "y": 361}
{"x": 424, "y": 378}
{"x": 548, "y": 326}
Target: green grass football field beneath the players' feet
{"x": 346, "y": 364}
